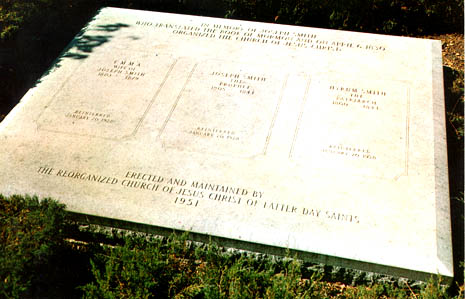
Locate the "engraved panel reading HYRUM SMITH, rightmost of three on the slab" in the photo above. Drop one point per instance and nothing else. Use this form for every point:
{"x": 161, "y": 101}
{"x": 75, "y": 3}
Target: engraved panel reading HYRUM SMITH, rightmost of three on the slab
{"x": 355, "y": 126}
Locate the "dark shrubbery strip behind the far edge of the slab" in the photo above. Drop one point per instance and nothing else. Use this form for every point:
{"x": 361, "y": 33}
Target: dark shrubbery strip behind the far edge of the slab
{"x": 386, "y": 16}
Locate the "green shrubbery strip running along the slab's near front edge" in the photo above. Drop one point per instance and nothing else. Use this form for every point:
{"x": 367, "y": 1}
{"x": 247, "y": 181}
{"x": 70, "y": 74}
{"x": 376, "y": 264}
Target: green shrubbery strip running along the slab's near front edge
{"x": 44, "y": 254}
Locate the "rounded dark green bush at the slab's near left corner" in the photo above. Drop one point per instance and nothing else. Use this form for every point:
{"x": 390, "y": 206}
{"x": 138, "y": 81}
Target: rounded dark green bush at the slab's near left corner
{"x": 31, "y": 233}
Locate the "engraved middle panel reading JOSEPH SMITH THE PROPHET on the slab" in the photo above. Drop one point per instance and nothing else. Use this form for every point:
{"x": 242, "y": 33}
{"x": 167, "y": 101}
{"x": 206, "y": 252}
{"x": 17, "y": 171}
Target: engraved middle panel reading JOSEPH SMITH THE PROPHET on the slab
{"x": 214, "y": 111}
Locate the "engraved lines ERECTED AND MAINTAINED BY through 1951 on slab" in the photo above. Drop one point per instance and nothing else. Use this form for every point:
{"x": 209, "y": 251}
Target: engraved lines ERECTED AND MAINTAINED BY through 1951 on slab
{"x": 189, "y": 194}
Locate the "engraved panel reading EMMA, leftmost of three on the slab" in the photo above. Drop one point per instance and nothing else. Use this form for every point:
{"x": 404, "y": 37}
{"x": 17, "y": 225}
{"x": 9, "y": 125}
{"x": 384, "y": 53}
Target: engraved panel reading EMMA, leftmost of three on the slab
{"x": 96, "y": 99}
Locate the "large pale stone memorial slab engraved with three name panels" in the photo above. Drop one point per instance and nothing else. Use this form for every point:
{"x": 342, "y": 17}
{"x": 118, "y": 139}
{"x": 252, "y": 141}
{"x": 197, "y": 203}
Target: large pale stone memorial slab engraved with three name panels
{"x": 329, "y": 143}
